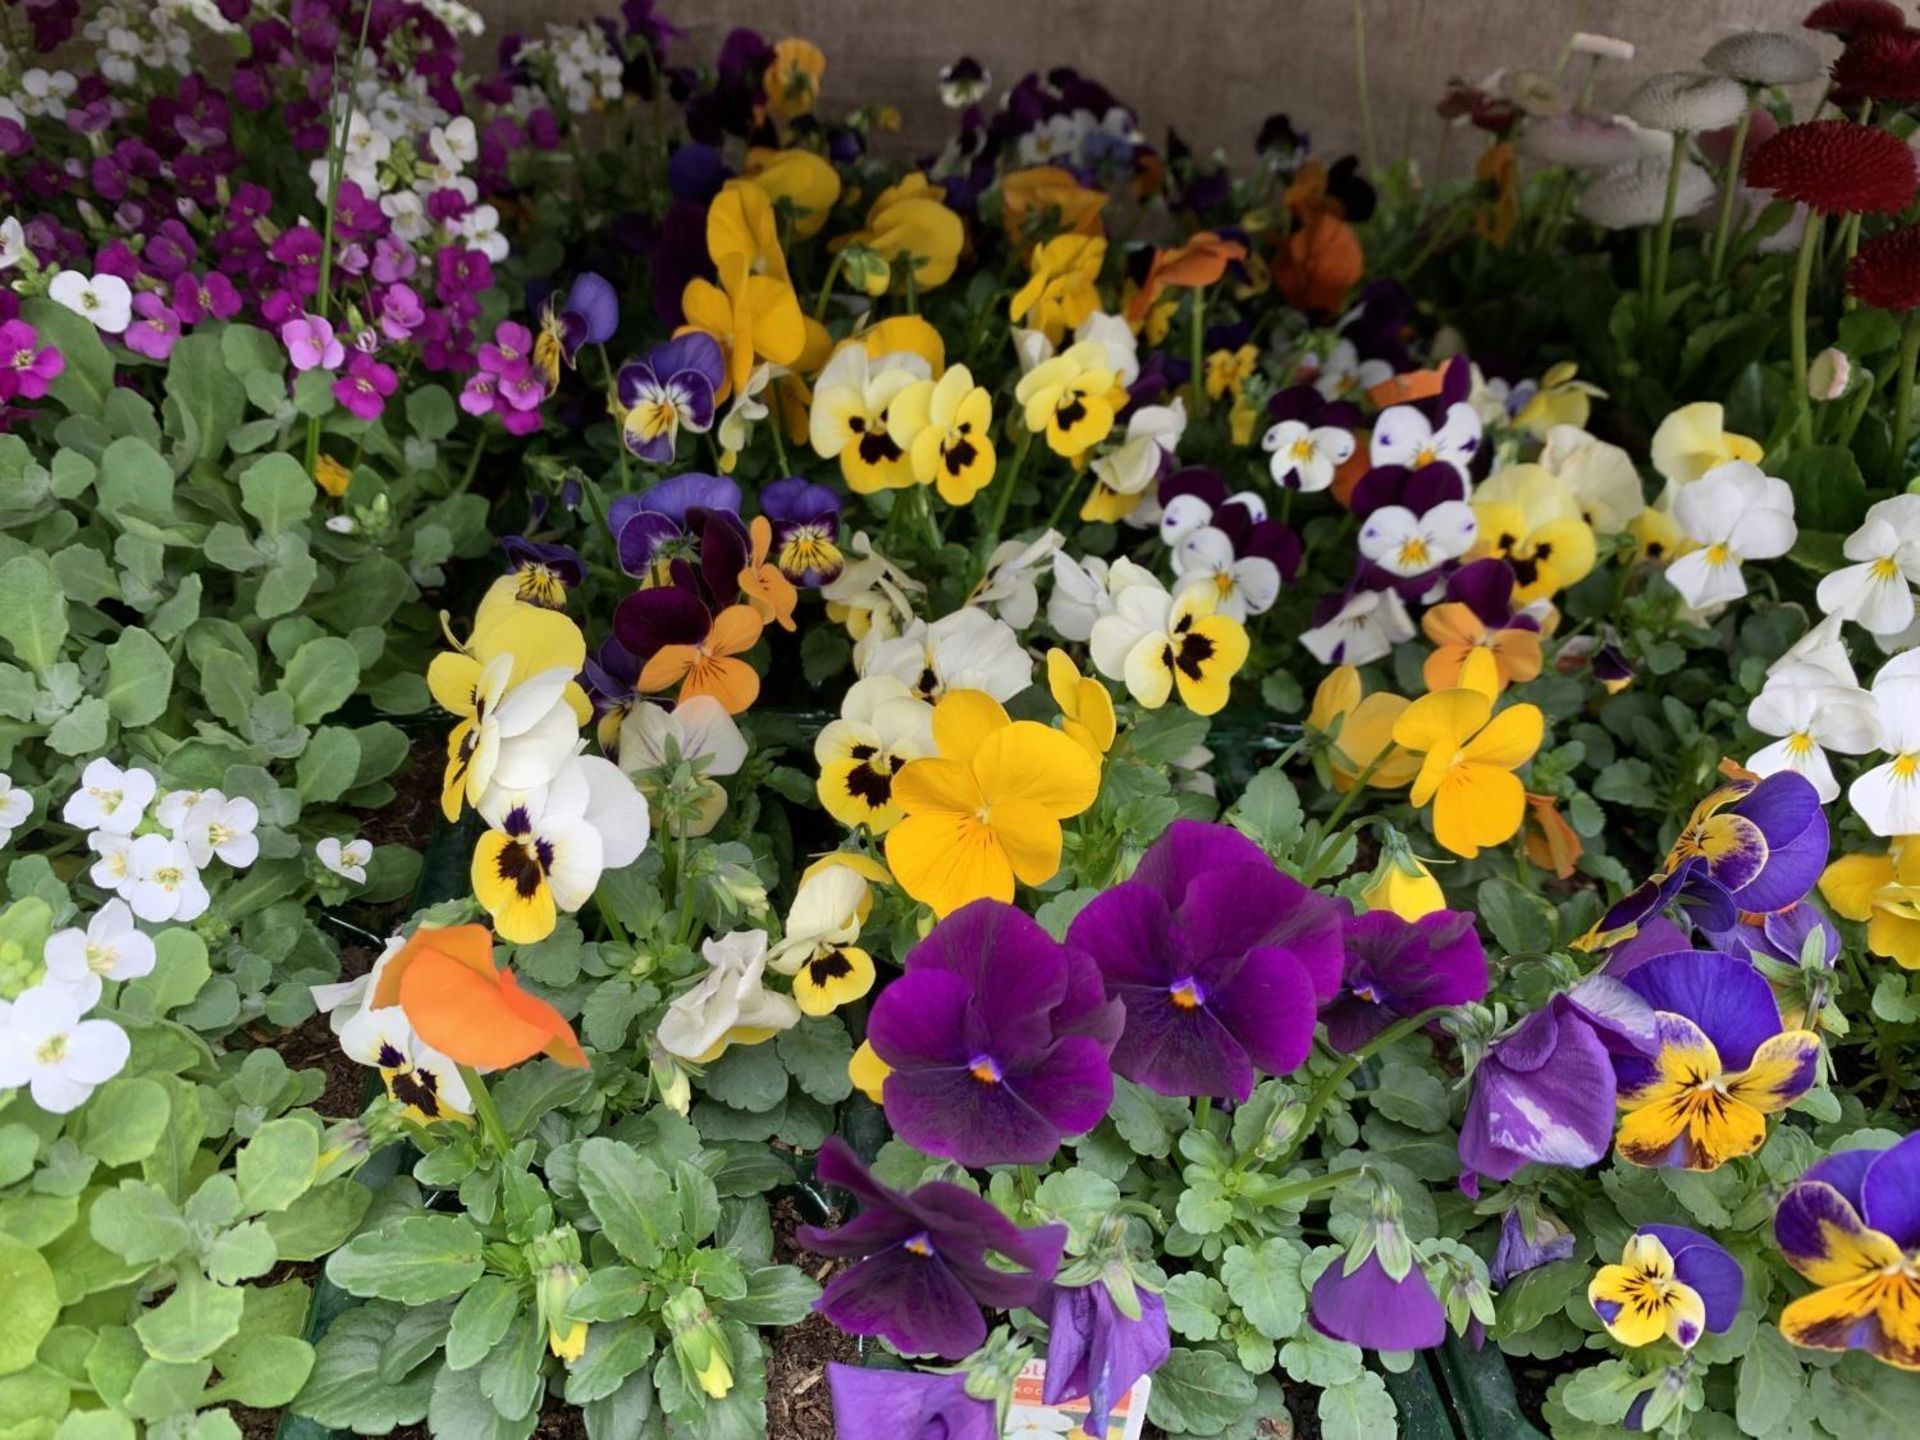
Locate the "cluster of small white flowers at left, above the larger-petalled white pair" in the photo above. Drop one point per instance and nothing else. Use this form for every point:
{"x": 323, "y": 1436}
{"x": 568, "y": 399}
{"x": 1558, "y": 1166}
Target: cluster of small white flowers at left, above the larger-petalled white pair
{"x": 155, "y": 861}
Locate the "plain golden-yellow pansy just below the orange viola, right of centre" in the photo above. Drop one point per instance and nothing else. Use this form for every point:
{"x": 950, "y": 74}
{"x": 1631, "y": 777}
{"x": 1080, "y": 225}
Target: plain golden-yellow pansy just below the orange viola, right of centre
{"x": 1468, "y": 761}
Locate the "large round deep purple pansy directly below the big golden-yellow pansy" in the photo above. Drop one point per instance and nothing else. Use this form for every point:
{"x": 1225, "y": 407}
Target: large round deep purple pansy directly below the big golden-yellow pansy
{"x": 997, "y": 1040}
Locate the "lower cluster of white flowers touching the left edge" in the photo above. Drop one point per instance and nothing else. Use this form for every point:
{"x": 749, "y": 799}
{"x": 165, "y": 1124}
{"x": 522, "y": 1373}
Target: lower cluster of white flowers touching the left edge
{"x": 47, "y": 1042}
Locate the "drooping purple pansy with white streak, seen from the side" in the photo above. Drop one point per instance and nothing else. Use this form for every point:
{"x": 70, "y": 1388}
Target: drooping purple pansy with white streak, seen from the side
{"x": 1547, "y": 1092}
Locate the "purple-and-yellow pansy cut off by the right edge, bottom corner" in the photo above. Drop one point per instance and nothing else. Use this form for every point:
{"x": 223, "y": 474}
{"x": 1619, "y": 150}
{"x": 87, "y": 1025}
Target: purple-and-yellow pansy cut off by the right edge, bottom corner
{"x": 1852, "y": 1226}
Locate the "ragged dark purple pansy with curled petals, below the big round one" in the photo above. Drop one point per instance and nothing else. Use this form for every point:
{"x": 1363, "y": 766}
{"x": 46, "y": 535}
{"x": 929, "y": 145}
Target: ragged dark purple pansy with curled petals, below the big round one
{"x": 921, "y": 1274}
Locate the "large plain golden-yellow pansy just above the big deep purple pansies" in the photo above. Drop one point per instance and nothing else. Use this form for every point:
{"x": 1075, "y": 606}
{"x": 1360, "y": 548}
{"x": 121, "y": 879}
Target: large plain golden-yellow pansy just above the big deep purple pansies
{"x": 988, "y": 809}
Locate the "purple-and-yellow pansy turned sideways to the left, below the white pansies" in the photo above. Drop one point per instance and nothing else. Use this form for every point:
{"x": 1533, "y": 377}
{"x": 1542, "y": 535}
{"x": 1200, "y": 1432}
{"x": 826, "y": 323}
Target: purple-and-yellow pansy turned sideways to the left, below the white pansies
{"x": 1752, "y": 846}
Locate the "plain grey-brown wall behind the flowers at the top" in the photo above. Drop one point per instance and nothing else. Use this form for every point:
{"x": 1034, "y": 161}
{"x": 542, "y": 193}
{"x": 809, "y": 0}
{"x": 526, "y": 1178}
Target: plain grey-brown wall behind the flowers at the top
{"x": 1216, "y": 68}
